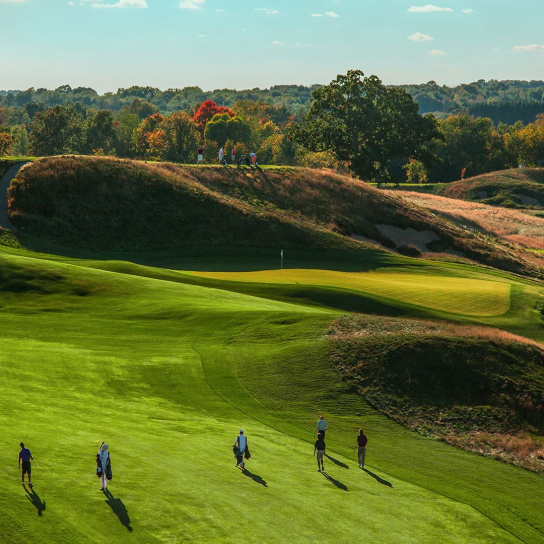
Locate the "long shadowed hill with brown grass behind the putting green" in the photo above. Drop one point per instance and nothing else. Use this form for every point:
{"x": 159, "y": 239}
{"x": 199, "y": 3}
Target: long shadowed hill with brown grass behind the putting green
{"x": 110, "y": 204}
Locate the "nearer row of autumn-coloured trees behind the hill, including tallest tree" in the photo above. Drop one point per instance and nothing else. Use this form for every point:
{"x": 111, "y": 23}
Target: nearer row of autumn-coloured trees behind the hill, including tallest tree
{"x": 355, "y": 123}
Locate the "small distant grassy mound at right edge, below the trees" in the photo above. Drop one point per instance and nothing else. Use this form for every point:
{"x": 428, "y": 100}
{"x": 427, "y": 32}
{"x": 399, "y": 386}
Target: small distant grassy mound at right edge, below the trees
{"x": 516, "y": 188}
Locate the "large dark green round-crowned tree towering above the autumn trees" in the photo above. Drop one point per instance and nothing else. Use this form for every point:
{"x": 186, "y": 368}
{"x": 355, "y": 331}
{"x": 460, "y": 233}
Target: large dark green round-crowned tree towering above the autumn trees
{"x": 365, "y": 123}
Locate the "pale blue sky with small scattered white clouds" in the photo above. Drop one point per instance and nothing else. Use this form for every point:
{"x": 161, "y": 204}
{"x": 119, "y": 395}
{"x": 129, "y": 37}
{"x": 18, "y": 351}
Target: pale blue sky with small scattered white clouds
{"x": 242, "y": 44}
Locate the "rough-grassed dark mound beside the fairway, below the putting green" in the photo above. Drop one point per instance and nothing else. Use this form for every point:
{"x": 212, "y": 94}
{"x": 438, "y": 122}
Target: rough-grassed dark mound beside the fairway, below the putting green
{"x": 446, "y": 380}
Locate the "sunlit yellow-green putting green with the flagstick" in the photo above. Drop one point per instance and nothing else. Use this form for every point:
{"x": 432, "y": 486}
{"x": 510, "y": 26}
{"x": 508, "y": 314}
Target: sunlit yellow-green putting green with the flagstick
{"x": 450, "y": 294}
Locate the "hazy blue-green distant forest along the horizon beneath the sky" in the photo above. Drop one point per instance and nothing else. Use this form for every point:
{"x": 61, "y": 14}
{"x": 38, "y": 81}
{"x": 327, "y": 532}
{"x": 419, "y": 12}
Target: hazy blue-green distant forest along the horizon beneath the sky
{"x": 501, "y": 101}
